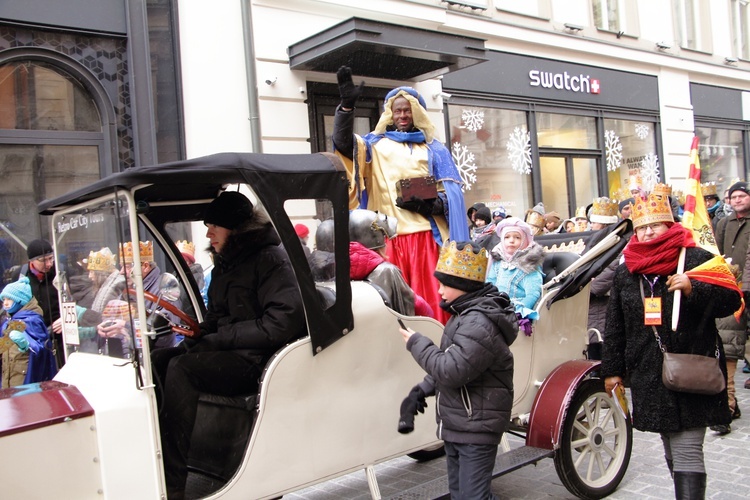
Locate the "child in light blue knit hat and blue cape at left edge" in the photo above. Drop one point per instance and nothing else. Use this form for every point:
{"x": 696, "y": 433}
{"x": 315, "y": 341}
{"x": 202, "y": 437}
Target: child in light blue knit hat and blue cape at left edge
{"x": 25, "y": 359}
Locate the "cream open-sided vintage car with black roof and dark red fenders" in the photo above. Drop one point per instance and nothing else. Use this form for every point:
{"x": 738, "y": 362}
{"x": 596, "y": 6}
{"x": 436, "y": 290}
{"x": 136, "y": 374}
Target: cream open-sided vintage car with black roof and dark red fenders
{"x": 328, "y": 403}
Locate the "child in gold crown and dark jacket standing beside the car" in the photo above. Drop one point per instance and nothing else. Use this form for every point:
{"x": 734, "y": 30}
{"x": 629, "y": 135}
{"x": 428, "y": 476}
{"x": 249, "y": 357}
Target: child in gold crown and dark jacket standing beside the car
{"x": 471, "y": 373}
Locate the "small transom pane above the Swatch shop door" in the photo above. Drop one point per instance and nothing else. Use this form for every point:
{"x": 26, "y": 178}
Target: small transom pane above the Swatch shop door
{"x": 566, "y": 131}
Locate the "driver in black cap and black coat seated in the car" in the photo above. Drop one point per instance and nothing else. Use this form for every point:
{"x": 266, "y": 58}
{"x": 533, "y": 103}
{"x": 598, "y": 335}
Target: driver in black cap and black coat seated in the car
{"x": 254, "y": 309}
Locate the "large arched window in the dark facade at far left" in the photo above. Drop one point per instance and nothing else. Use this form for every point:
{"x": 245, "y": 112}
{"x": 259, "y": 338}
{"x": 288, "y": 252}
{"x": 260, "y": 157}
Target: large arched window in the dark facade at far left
{"x": 51, "y": 138}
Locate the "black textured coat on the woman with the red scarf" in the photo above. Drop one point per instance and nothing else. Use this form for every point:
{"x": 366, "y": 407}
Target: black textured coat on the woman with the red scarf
{"x": 630, "y": 347}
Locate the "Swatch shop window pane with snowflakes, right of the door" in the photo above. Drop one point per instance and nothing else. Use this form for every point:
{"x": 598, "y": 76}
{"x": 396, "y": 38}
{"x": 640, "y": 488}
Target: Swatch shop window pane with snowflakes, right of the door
{"x": 630, "y": 150}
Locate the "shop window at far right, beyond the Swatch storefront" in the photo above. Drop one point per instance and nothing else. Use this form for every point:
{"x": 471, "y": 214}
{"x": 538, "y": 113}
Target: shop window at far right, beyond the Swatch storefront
{"x": 721, "y": 155}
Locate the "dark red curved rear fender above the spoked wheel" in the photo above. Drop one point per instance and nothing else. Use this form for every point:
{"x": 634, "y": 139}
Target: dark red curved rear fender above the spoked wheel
{"x": 552, "y": 401}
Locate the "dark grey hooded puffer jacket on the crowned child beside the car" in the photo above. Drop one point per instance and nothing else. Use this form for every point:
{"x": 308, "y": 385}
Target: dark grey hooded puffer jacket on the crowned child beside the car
{"x": 471, "y": 374}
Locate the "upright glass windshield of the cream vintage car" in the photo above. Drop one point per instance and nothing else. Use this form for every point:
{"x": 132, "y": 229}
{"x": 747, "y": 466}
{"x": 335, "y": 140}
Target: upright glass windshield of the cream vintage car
{"x": 94, "y": 257}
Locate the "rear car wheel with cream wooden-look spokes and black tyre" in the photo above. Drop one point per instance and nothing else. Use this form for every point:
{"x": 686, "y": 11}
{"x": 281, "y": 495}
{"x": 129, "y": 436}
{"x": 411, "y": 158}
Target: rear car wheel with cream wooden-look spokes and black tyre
{"x": 596, "y": 443}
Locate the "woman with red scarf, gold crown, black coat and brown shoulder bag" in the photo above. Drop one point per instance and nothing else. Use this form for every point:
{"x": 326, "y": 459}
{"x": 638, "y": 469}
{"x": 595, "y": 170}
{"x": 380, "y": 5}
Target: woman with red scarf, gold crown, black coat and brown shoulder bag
{"x": 641, "y": 304}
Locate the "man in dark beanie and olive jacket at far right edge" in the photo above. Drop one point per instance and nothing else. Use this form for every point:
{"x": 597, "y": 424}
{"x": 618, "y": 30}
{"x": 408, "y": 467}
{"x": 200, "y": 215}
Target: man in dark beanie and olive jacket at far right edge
{"x": 732, "y": 234}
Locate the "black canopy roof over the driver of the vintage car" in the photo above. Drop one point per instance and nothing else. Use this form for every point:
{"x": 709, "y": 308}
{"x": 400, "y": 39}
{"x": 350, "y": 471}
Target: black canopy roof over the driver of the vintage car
{"x": 274, "y": 179}
